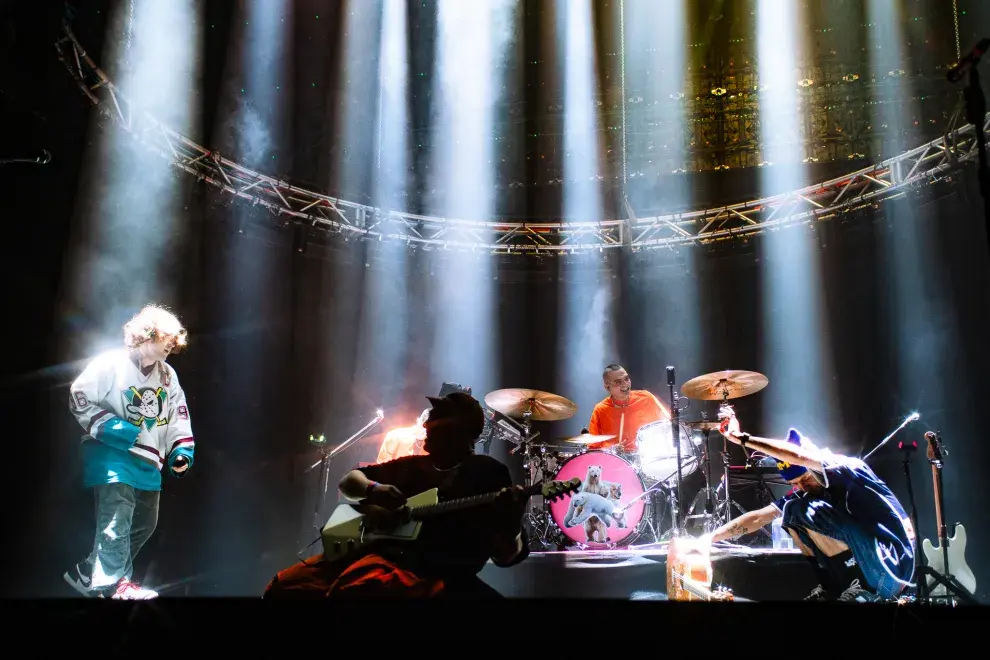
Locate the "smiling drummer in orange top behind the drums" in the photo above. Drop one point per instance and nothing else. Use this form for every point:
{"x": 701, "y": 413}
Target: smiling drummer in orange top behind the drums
{"x": 624, "y": 411}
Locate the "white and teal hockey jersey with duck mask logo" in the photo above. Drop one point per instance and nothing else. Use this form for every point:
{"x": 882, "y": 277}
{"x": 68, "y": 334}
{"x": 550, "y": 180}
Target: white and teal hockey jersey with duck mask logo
{"x": 134, "y": 424}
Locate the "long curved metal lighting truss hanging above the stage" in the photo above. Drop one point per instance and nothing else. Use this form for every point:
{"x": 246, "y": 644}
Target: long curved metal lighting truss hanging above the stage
{"x": 869, "y": 186}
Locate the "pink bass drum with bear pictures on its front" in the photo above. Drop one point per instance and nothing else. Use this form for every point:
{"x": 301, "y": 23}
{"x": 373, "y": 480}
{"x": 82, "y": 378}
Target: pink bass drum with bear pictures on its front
{"x": 608, "y": 509}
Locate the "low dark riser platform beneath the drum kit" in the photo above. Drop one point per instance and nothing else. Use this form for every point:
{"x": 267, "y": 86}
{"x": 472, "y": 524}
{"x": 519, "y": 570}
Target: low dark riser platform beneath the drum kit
{"x": 640, "y": 573}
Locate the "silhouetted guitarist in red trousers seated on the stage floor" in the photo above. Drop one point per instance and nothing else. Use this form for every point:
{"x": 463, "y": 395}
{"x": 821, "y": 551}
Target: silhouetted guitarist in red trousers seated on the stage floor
{"x": 451, "y": 550}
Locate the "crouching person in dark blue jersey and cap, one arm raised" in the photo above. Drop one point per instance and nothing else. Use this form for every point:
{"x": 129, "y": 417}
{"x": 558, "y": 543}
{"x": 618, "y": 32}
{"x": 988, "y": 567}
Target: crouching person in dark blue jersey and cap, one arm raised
{"x": 841, "y": 515}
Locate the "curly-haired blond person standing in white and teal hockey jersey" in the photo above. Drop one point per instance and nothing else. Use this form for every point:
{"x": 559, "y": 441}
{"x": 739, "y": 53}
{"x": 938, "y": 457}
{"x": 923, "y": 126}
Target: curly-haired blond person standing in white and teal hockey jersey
{"x": 136, "y": 421}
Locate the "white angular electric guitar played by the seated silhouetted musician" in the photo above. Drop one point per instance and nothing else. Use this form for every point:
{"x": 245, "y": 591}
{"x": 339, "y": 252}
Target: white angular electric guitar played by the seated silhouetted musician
{"x": 353, "y": 527}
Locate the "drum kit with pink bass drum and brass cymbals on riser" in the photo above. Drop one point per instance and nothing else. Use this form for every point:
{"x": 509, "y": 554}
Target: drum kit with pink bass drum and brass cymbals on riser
{"x": 623, "y": 492}
